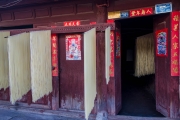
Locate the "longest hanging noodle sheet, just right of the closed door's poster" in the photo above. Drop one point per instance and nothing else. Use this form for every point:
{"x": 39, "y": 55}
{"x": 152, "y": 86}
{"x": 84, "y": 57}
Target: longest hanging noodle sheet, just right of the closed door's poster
{"x": 89, "y": 70}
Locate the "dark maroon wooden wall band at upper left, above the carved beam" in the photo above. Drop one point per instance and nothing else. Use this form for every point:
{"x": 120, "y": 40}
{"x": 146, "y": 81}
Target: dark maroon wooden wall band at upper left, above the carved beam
{"x": 49, "y": 13}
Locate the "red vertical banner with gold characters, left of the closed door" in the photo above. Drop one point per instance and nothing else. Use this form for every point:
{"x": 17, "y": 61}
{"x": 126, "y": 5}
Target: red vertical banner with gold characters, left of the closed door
{"x": 54, "y": 54}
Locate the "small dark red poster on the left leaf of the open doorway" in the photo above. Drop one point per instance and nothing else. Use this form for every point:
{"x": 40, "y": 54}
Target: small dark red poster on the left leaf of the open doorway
{"x": 118, "y": 45}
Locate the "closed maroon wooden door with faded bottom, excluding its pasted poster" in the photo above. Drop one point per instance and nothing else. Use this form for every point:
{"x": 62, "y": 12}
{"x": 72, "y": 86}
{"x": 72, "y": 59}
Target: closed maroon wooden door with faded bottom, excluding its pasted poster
{"x": 71, "y": 78}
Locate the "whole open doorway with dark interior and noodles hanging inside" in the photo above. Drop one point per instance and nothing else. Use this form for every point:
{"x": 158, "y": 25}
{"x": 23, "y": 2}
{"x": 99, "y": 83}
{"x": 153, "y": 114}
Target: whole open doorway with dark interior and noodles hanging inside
{"x": 138, "y": 67}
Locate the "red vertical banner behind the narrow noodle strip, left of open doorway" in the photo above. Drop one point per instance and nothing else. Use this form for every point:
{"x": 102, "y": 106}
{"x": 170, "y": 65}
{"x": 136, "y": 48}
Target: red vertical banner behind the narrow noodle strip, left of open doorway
{"x": 111, "y": 68}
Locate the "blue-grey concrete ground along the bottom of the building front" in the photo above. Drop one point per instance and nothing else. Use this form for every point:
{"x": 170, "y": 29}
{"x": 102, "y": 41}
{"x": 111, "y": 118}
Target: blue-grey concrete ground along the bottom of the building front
{"x": 16, "y": 115}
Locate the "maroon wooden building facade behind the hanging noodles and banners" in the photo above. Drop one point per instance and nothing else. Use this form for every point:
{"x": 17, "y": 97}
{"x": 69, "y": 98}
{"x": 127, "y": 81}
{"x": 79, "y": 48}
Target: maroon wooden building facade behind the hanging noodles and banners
{"x": 68, "y": 85}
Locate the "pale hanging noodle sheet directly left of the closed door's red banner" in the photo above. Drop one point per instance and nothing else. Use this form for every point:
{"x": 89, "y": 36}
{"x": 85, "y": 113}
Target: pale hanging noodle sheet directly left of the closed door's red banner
{"x": 41, "y": 74}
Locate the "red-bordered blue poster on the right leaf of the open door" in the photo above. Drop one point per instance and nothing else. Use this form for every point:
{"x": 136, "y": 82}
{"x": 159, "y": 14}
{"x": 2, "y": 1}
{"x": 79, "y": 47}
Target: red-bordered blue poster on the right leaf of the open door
{"x": 161, "y": 42}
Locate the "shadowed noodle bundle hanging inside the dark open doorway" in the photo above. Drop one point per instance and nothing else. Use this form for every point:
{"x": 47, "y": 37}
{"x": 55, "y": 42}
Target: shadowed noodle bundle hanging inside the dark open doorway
{"x": 144, "y": 64}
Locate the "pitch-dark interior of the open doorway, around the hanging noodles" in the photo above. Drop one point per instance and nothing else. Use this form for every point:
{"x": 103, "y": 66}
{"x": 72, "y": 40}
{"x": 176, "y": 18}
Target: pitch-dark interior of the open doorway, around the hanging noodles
{"x": 138, "y": 93}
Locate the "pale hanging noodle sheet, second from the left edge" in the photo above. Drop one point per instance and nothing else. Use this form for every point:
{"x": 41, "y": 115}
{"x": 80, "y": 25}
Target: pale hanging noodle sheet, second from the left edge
{"x": 19, "y": 65}
